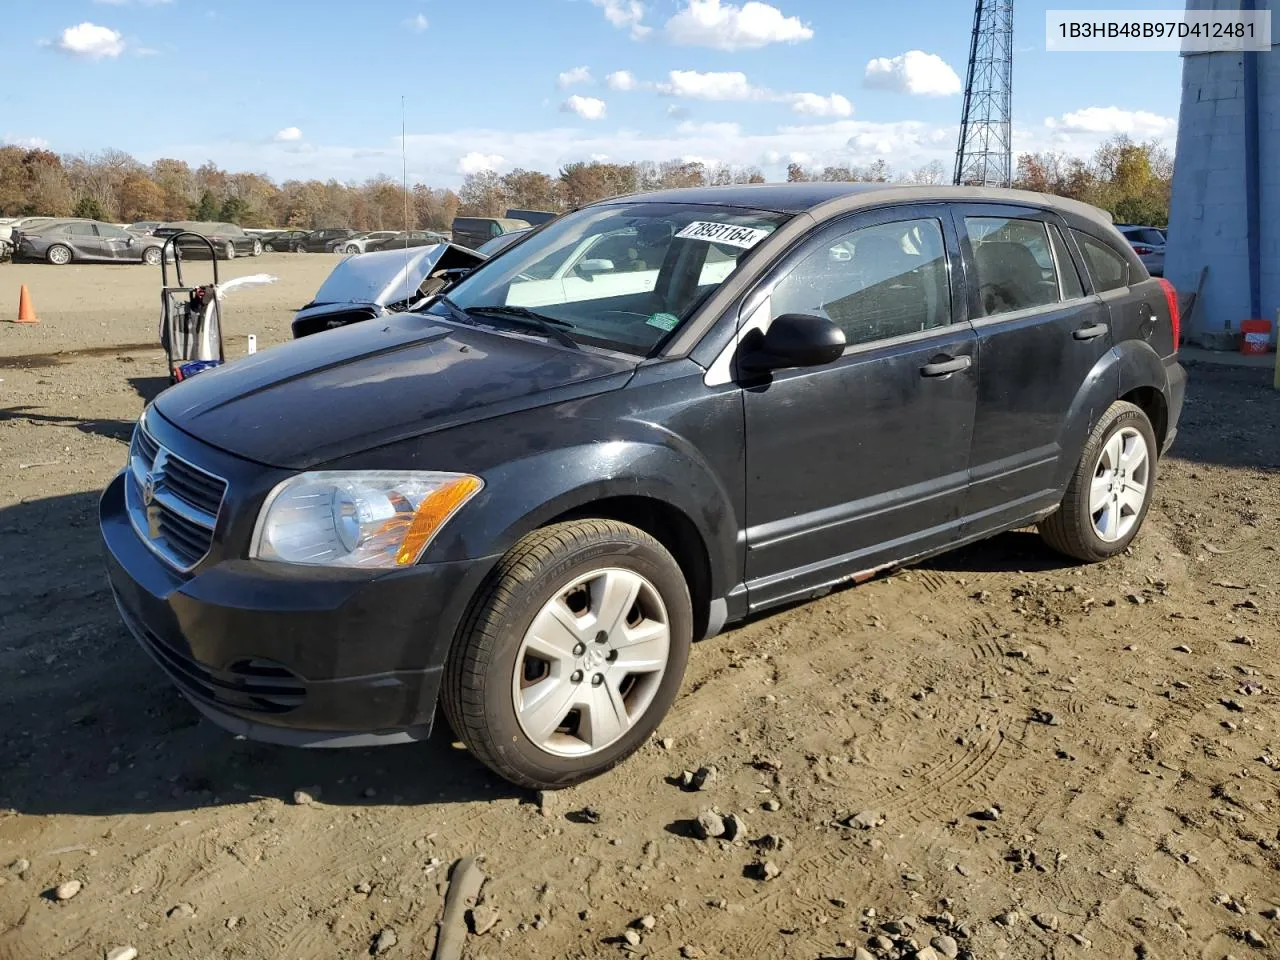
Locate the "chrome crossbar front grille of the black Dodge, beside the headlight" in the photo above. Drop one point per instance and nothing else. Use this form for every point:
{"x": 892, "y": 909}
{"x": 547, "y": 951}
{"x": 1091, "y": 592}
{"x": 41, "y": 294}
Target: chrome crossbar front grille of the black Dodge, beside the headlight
{"x": 173, "y": 505}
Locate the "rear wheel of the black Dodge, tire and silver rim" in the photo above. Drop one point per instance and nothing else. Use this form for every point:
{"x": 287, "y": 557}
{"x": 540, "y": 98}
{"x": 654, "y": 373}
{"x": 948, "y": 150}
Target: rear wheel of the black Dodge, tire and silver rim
{"x": 1101, "y": 514}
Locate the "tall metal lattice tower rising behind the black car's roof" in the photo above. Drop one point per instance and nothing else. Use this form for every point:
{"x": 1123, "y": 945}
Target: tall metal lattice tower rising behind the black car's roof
{"x": 985, "y": 153}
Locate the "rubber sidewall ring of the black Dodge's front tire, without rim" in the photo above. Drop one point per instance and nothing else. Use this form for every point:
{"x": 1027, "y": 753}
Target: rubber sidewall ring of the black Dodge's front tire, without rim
{"x": 510, "y": 740}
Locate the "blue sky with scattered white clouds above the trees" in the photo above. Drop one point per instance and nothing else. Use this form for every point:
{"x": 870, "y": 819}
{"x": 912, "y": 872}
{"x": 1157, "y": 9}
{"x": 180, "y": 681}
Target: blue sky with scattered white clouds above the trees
{"x": 301, "y": 89}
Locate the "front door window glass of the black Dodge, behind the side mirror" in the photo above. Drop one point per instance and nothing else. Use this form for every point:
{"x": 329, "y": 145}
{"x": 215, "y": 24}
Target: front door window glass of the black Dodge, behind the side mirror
{"x": 875, "y": 284}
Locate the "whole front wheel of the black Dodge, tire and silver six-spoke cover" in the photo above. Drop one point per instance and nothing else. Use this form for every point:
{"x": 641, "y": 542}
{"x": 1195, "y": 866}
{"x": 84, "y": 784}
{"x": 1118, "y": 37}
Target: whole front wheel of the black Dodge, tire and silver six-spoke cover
{"x": 493, "y": 665}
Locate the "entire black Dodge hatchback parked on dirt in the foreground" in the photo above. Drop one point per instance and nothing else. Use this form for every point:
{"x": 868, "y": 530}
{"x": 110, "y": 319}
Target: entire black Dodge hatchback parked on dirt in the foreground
{"x": 650, "y": 419}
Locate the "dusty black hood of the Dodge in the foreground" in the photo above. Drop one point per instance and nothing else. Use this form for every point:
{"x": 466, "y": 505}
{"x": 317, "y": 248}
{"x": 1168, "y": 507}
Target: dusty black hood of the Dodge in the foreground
{"x": 323, "y": 397}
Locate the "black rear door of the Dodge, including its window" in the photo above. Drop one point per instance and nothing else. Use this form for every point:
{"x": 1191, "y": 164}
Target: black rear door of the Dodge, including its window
{"x": 1041, "y": 335}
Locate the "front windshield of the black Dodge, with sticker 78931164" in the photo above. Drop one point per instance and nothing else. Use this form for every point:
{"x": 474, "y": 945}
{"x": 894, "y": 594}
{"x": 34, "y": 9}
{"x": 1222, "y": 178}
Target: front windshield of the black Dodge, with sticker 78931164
{"x": 621, "y": 277}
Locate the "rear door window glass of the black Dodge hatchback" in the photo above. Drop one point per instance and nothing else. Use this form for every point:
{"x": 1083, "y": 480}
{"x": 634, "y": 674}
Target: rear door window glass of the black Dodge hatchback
{"x": 1014, "y": 264}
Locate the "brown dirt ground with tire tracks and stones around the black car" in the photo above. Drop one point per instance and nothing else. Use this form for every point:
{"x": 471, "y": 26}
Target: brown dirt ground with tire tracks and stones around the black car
{"x": 1117, "y": 729}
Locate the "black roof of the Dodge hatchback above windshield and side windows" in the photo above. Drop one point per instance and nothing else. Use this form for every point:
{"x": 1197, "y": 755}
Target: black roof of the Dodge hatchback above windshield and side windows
{"x": 826, "y": 199}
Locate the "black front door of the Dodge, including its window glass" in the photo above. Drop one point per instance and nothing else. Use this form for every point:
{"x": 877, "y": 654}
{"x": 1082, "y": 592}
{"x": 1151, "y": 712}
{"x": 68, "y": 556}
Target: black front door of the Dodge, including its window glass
{"x": 863, "y": 461}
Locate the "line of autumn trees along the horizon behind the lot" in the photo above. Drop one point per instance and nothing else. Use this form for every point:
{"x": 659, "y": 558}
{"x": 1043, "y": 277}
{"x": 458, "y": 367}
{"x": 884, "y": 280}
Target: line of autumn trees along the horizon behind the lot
{"x": 1131, "y": 180}
